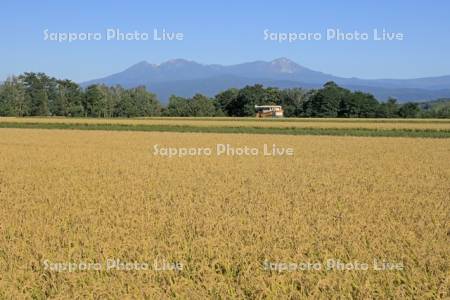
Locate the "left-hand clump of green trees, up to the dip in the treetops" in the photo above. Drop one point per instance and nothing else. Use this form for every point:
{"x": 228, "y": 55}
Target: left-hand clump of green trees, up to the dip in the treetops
{"x": 36, "y": 94}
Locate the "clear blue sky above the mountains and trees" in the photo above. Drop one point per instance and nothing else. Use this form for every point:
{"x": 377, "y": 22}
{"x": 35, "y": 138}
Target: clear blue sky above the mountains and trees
{"x": 226, "y": 32}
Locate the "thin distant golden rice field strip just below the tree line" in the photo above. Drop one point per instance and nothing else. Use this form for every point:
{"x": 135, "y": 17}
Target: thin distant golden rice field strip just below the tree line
{"x": 434, "y": 124}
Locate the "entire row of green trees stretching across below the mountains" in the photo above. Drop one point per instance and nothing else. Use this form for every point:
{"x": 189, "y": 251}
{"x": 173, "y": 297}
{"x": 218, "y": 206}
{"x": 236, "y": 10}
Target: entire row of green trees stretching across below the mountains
{"x": 36, "y": 94}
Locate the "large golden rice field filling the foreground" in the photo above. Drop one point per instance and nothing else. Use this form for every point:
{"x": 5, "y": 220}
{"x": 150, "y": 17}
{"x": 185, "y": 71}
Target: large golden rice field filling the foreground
{"x": 208, "y": 226}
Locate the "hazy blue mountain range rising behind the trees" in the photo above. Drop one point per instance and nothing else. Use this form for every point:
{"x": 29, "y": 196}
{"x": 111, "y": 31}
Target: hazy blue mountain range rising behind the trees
{"x": 185, "y": 78}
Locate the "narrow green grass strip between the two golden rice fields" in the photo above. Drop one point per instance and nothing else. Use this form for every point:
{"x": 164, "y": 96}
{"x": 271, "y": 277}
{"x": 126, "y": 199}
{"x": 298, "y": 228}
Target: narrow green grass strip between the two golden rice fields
{"x": 417, "y": 133}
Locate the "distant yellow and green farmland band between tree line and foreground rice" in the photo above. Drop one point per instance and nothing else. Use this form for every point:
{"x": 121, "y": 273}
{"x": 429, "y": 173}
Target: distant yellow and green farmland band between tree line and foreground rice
{"x": 434, "y": 128}
